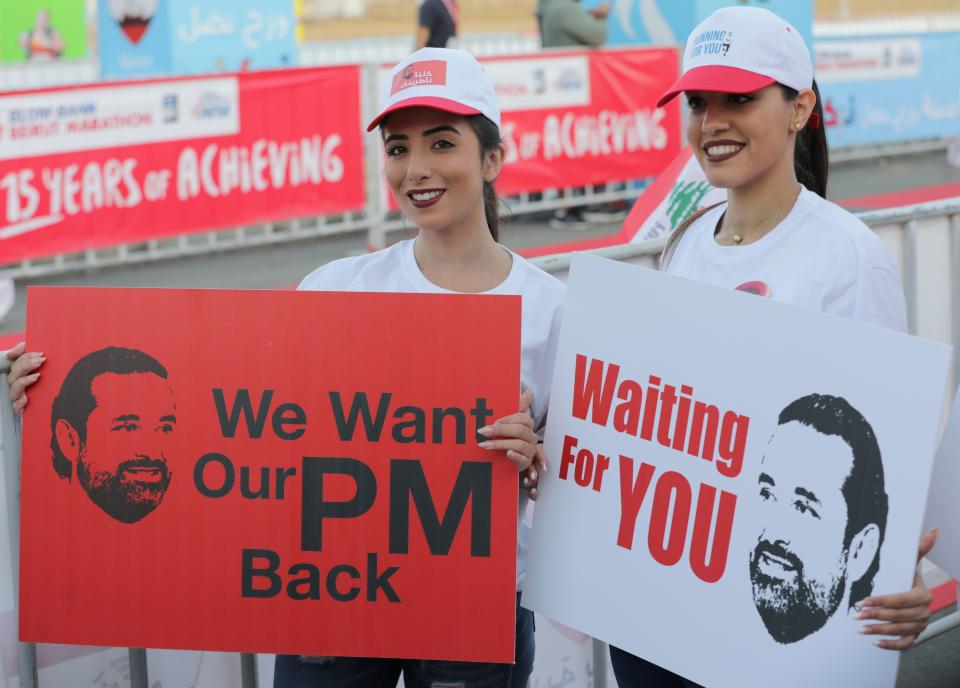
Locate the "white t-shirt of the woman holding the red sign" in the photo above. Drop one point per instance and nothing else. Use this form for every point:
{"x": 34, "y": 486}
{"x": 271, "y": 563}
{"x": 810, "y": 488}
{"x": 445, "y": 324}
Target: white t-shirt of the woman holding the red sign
{"x": 395, "y": 269}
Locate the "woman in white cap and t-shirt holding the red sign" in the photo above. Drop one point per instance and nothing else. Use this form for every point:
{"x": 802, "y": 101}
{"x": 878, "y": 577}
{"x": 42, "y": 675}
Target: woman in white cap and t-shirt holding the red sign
{"x": 440, "y": 126}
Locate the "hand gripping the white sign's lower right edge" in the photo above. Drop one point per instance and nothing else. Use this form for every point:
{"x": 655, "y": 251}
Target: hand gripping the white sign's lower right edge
{"x": 905, "y": 614}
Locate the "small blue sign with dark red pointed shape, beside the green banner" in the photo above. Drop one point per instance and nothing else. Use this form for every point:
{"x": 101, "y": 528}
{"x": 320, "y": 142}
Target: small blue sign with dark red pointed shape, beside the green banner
{"x": 134, "y": 38}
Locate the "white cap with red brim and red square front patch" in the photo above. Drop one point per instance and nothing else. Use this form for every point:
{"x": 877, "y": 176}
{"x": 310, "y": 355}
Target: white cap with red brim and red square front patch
{"x": 439, "y": 78}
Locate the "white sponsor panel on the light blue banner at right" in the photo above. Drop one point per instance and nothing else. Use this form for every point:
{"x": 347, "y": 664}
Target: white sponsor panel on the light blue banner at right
{"x": 839, "y": 61}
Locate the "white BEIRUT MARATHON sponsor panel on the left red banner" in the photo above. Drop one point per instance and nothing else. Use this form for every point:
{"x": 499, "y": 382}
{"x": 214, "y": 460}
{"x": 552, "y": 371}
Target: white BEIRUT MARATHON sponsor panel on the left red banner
{"x": 74, "y": 120}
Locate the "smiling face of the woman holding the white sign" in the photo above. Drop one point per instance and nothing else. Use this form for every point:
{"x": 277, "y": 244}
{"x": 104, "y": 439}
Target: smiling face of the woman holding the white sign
{"x": 744, "y": 139}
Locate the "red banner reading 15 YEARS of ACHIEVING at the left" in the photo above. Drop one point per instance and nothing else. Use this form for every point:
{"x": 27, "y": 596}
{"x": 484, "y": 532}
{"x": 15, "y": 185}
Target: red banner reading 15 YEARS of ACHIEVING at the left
{"x": 95, "y": 166}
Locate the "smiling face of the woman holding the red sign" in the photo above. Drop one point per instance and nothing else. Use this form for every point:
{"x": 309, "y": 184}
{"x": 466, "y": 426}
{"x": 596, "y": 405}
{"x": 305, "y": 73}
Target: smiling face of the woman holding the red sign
{"x": 436, "y": 170}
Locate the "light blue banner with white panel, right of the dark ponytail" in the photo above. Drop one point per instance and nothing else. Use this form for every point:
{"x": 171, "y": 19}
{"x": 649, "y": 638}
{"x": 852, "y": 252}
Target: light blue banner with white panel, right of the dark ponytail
{"x": 888, "y": 89}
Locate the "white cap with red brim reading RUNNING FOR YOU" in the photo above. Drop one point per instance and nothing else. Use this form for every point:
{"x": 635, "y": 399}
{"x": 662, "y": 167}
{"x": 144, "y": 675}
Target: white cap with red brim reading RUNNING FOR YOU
{"x": 741, "y": 50}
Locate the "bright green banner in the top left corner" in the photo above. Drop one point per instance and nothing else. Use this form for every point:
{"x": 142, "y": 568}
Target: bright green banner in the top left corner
{"x": 42, "y": 30}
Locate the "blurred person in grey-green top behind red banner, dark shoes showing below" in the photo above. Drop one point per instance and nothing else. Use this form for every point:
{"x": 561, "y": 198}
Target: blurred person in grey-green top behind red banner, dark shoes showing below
{"x": 566, "y": 24}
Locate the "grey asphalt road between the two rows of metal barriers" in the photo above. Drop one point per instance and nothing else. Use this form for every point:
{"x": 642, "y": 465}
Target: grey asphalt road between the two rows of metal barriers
{"x": 285, "y": 264}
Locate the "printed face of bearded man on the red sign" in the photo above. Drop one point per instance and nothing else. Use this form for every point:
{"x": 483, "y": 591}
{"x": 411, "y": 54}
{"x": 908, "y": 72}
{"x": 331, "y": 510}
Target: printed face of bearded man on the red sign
{"x": 122, "y": 461}
